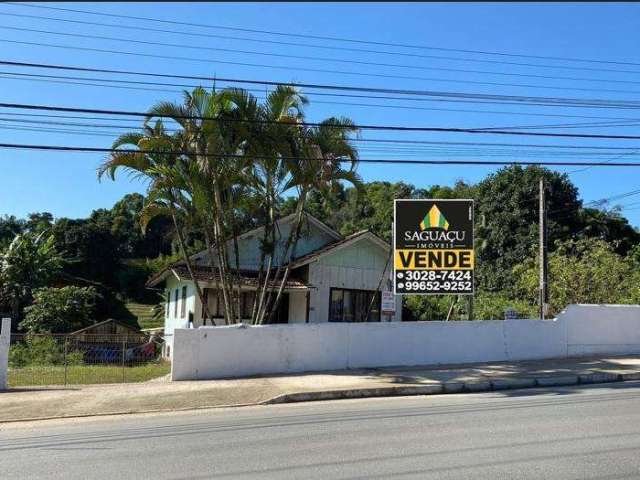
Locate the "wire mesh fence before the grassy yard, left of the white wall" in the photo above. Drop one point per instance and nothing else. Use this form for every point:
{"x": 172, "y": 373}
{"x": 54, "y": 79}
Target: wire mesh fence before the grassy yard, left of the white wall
{"x": 46, "y": 359}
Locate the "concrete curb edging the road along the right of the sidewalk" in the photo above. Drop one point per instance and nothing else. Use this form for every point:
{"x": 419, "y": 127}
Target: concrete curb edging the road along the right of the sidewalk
{"x": 455, "y": 387}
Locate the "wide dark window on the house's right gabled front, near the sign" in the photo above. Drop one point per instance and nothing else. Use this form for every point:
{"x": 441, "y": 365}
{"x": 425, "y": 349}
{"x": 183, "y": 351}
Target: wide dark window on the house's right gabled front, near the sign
{"x": 352, "y": 305}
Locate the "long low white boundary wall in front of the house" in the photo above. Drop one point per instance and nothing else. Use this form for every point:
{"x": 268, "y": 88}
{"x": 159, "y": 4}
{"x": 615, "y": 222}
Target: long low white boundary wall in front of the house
{"x": 241, "y": 350}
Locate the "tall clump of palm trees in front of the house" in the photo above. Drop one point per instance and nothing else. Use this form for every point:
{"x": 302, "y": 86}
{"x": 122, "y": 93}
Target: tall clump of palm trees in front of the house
{"x": 229, "y": 156}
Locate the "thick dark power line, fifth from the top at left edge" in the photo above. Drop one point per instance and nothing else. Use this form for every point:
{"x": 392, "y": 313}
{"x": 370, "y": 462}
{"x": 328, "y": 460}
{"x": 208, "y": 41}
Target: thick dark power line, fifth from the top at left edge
{"x": 517, "y": 99}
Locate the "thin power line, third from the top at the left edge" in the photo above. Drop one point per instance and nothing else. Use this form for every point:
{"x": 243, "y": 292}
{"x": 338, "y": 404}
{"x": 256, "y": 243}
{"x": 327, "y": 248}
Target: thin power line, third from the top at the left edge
{"x": 323, "y": 59}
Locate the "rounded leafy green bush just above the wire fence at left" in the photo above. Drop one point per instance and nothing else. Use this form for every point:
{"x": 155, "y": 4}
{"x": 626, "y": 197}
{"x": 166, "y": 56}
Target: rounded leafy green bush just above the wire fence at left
{"x": 60, "y": 310}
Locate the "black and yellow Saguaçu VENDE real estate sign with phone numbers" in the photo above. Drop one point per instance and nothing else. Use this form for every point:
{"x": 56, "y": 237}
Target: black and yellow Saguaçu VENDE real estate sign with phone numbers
{"x": 433, "y": 247}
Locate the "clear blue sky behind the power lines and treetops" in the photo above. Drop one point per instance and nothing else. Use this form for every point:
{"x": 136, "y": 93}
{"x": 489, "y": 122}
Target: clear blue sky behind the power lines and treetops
{"x": 66, "y": 185}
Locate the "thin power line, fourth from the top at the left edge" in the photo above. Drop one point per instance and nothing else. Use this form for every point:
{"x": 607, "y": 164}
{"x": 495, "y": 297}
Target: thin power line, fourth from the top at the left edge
{"x": 307, "y": 69}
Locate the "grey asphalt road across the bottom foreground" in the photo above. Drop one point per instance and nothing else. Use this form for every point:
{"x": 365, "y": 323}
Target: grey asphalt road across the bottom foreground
{"x": 565, "y": 433}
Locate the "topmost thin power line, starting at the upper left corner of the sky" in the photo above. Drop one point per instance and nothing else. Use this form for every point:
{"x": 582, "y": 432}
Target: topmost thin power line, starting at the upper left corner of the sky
{"x": 321, "y": 37}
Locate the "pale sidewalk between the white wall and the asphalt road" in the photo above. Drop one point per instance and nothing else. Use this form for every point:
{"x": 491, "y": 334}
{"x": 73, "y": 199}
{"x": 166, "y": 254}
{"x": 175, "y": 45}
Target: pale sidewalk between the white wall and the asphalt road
{"x": 52, "y": 402}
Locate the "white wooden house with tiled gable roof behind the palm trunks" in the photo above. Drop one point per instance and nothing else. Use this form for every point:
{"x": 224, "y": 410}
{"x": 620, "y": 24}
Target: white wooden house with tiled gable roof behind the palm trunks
{"x": 333, "y": 279}
